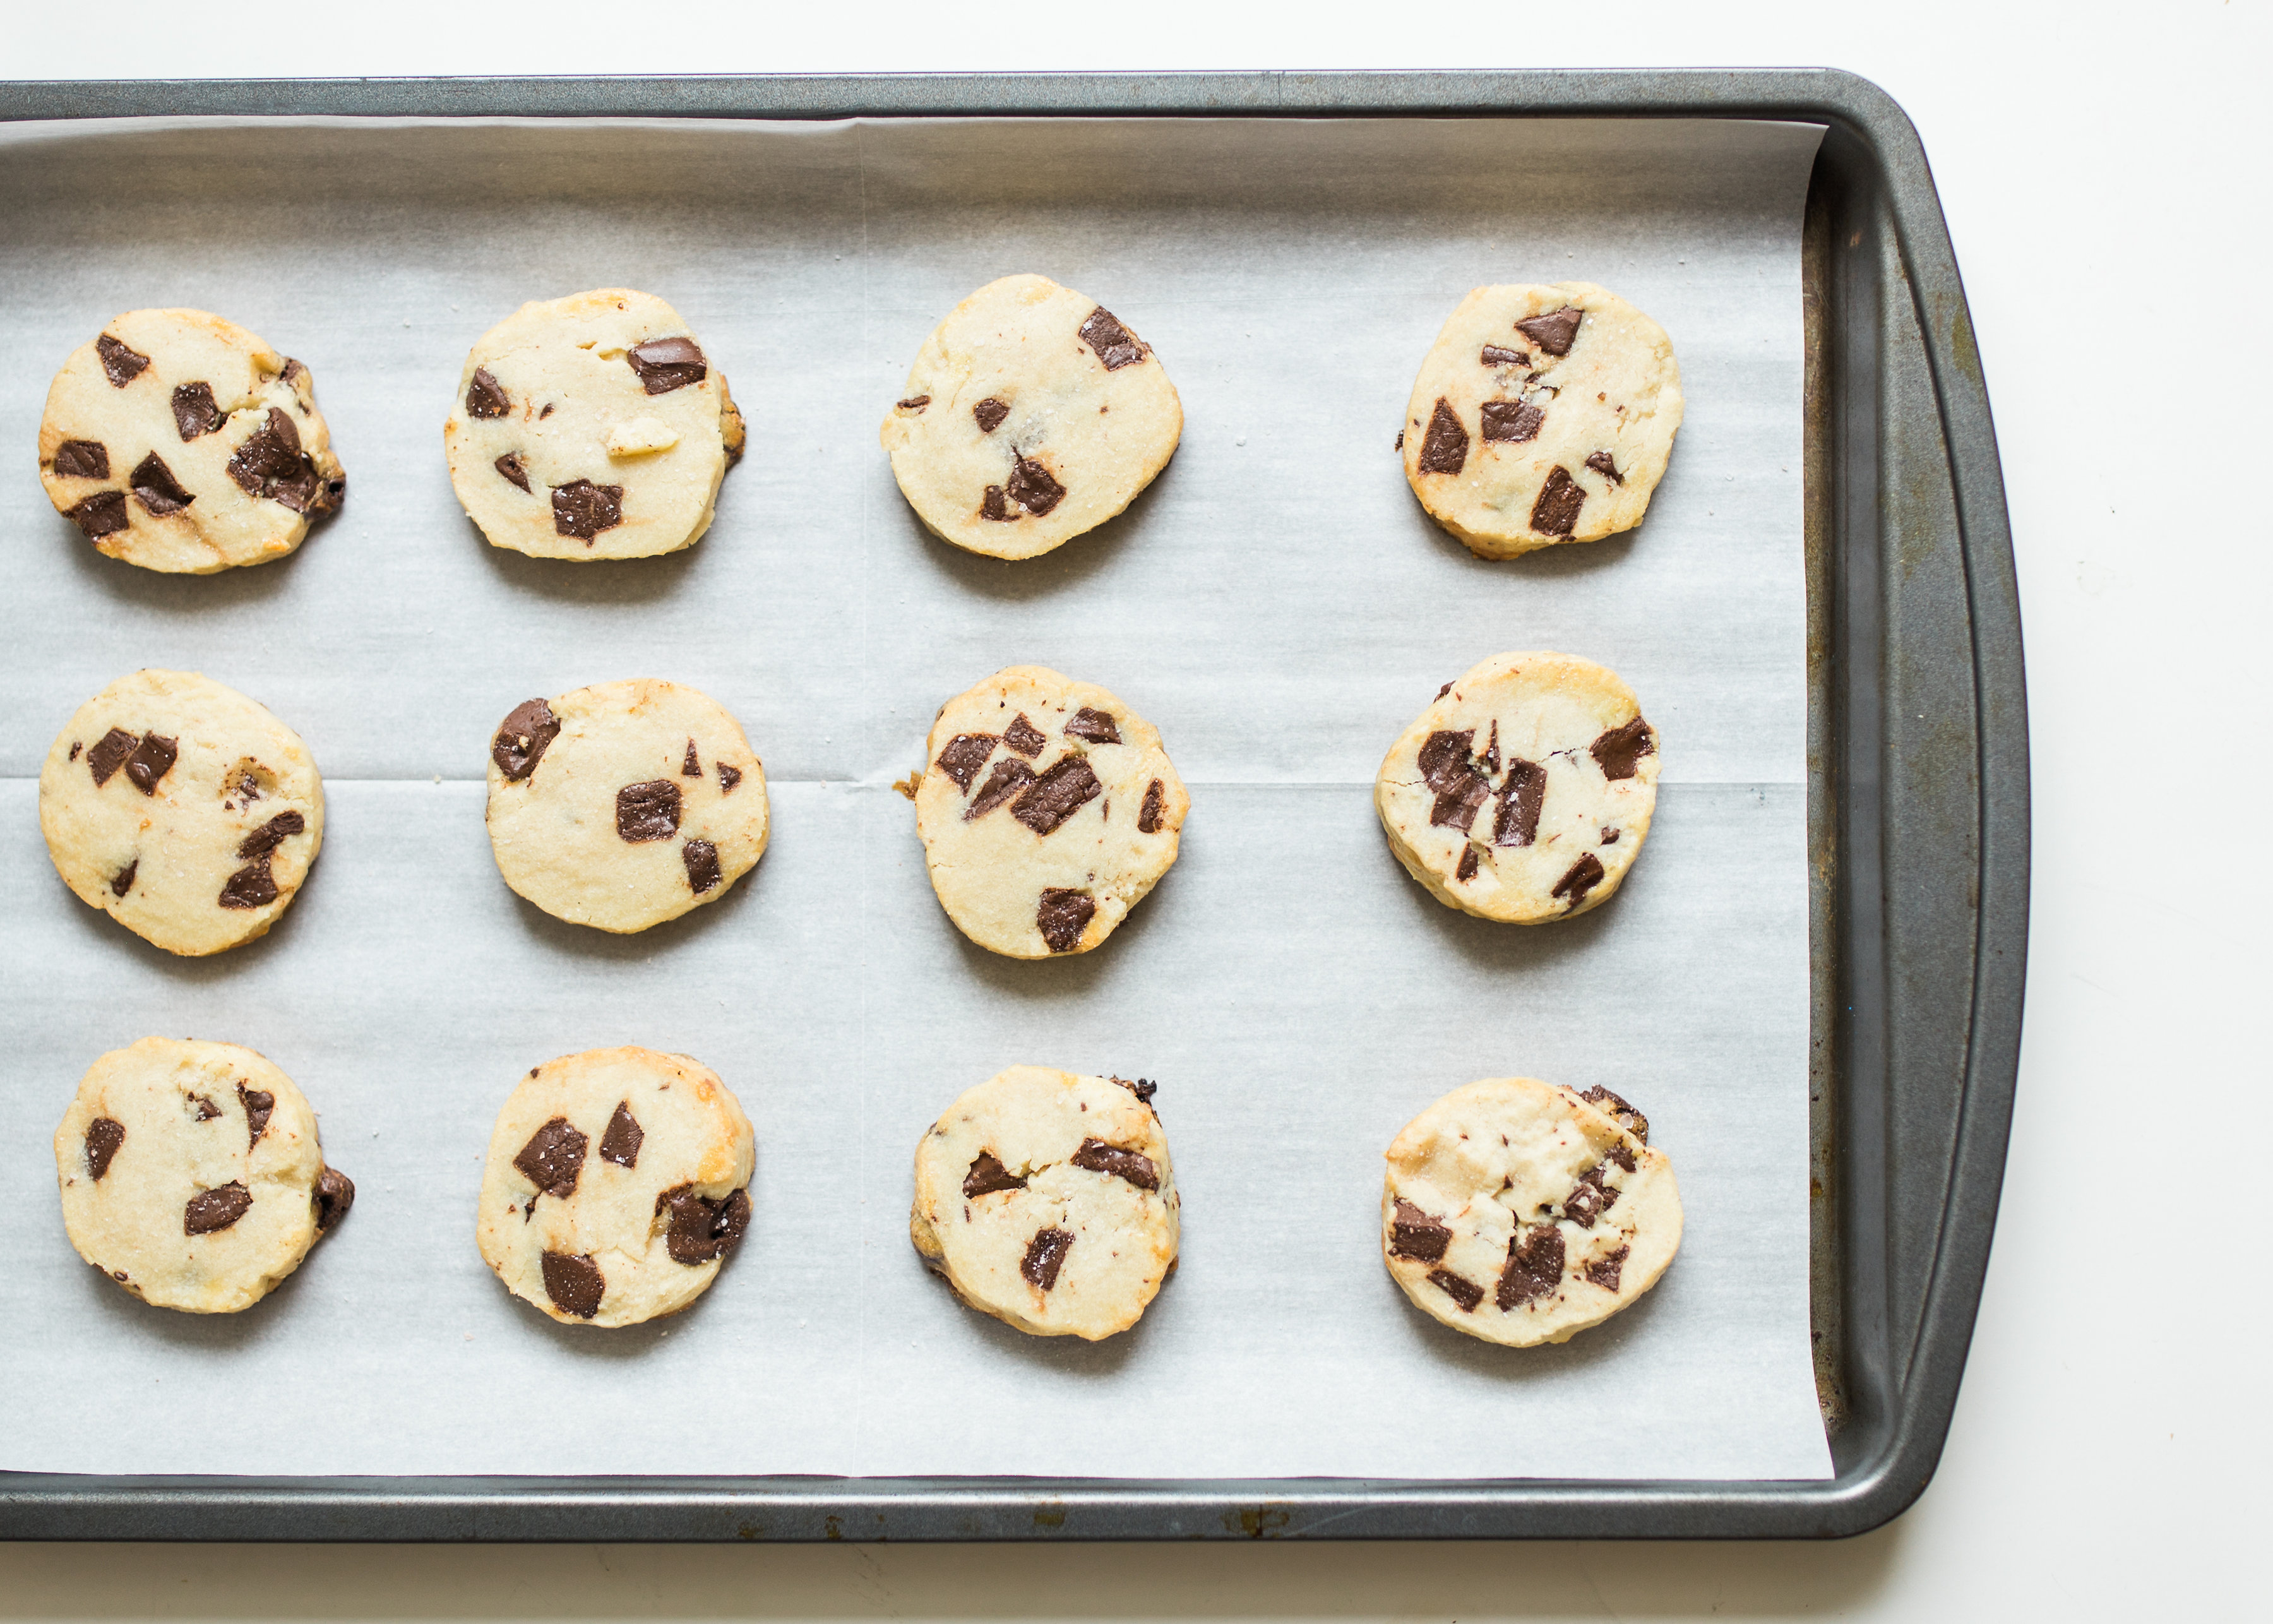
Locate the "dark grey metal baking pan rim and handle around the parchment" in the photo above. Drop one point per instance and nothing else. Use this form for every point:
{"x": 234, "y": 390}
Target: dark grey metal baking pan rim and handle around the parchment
{"x": 1917, "y": 843}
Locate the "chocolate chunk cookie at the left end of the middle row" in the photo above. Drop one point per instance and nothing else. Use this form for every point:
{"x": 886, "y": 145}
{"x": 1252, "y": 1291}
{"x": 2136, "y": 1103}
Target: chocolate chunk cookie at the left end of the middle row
{"x": 183, "y": 811}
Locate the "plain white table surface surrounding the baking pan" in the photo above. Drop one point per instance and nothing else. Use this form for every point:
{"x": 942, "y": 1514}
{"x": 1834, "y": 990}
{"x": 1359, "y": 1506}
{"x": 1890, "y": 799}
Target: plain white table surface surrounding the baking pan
{"x": 2106, "y": 185}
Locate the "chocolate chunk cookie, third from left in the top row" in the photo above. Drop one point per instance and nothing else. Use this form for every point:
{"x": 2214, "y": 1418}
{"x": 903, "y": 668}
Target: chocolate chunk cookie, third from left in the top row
{"x": 1031, "y": 417}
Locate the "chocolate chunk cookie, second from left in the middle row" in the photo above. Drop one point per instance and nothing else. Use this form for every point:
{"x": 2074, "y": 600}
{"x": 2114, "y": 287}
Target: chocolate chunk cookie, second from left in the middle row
{"x": 624, "y": 804}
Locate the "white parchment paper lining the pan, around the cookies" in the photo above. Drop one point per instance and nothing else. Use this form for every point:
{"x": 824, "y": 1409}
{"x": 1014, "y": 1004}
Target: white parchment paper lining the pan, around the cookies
{"x": 1279, "y": 606}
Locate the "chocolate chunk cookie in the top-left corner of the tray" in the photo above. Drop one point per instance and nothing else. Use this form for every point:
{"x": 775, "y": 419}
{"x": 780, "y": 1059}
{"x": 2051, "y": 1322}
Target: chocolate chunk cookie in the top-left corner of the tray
{"x": 183, "y": 442}
